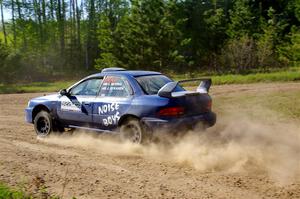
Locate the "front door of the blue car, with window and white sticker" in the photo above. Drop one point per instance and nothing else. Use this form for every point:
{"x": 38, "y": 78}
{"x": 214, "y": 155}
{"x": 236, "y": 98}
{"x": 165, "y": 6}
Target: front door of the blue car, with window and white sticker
{"x": 76, "y": 108}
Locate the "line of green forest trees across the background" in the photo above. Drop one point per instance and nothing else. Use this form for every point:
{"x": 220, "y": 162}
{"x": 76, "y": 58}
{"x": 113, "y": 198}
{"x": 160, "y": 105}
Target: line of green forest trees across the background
{"x": 44, "y": 38}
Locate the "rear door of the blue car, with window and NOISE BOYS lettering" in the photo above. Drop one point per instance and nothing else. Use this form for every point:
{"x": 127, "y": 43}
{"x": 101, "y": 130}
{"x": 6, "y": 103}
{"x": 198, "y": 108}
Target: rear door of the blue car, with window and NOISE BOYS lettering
{"x": 114, "y": 99}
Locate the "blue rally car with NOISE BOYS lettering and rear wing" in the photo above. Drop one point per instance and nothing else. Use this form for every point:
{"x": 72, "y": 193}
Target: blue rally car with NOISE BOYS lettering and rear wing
{"x": 132, "y": 103}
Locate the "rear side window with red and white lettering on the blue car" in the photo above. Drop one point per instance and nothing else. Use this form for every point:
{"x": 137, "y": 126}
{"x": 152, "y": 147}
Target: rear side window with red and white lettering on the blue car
{"x": 115, "y": 86}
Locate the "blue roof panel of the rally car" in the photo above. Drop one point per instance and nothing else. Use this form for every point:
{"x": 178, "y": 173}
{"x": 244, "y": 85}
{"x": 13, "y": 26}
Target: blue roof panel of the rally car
{"x": 134, "y": 73}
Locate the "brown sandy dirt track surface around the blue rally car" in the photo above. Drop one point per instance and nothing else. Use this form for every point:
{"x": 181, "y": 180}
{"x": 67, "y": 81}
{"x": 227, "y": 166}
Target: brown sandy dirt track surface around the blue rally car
{"x": 249, "y": 160}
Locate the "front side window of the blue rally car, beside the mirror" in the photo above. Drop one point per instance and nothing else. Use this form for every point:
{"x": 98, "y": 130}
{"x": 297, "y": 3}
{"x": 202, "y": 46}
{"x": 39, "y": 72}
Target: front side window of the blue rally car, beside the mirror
{"x": 88, "y": 87}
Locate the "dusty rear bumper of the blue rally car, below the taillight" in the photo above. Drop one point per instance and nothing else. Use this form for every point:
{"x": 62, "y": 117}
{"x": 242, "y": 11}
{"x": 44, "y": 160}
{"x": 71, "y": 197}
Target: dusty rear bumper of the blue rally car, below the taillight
{"x": 173, "y": 125}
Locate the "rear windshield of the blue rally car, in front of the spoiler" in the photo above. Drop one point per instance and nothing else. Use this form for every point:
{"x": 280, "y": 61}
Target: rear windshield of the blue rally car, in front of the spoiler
{"x": 152, "y": 83}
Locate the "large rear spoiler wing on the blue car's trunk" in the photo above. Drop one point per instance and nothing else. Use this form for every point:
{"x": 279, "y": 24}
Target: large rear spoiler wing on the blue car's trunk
{"x": 204, "y": 86}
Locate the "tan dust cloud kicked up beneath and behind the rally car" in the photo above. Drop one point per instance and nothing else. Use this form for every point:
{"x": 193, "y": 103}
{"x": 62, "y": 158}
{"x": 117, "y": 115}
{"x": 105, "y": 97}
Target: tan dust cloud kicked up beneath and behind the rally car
{"x": 236, "y": 144}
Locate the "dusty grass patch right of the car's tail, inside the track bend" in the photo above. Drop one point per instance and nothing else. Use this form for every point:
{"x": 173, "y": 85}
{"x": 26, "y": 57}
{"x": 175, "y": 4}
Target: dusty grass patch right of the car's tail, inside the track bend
{"x": 281, "y": 105}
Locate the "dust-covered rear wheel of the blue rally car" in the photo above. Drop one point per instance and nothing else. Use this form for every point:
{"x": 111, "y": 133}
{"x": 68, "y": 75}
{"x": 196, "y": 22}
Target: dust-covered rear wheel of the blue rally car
{"x": 132, "y": 130}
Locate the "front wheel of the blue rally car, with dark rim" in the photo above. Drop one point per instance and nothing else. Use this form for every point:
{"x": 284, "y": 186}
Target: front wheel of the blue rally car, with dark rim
{"x": 43, "y": 124}
